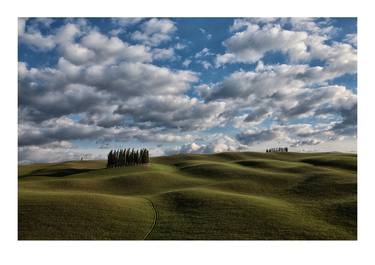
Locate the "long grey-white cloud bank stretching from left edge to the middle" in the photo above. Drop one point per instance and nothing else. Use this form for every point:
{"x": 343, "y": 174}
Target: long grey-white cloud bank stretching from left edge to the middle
{"x": 46, "y": 93}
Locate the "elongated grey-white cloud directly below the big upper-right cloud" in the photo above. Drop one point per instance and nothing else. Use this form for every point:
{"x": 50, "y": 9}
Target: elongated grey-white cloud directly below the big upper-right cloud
{"x": 268, "y": 81}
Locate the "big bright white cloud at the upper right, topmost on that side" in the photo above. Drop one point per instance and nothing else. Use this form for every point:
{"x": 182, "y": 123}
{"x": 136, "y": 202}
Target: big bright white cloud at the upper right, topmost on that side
{"x": 306, "y": 40}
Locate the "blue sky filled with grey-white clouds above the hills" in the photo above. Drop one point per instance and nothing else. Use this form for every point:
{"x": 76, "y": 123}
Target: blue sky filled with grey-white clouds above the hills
{"x": 185, "y": 85}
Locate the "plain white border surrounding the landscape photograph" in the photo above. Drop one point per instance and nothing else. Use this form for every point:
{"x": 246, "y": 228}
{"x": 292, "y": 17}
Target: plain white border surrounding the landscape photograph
{"x": 186, "y": 252}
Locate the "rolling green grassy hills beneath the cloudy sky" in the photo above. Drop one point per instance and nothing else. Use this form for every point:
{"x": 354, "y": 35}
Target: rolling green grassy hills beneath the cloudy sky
{"x": 221, "y": 196}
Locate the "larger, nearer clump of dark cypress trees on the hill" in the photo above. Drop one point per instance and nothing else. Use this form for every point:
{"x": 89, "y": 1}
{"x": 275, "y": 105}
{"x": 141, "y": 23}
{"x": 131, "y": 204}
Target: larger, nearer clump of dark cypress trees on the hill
{"x": 127, "y": 157}
